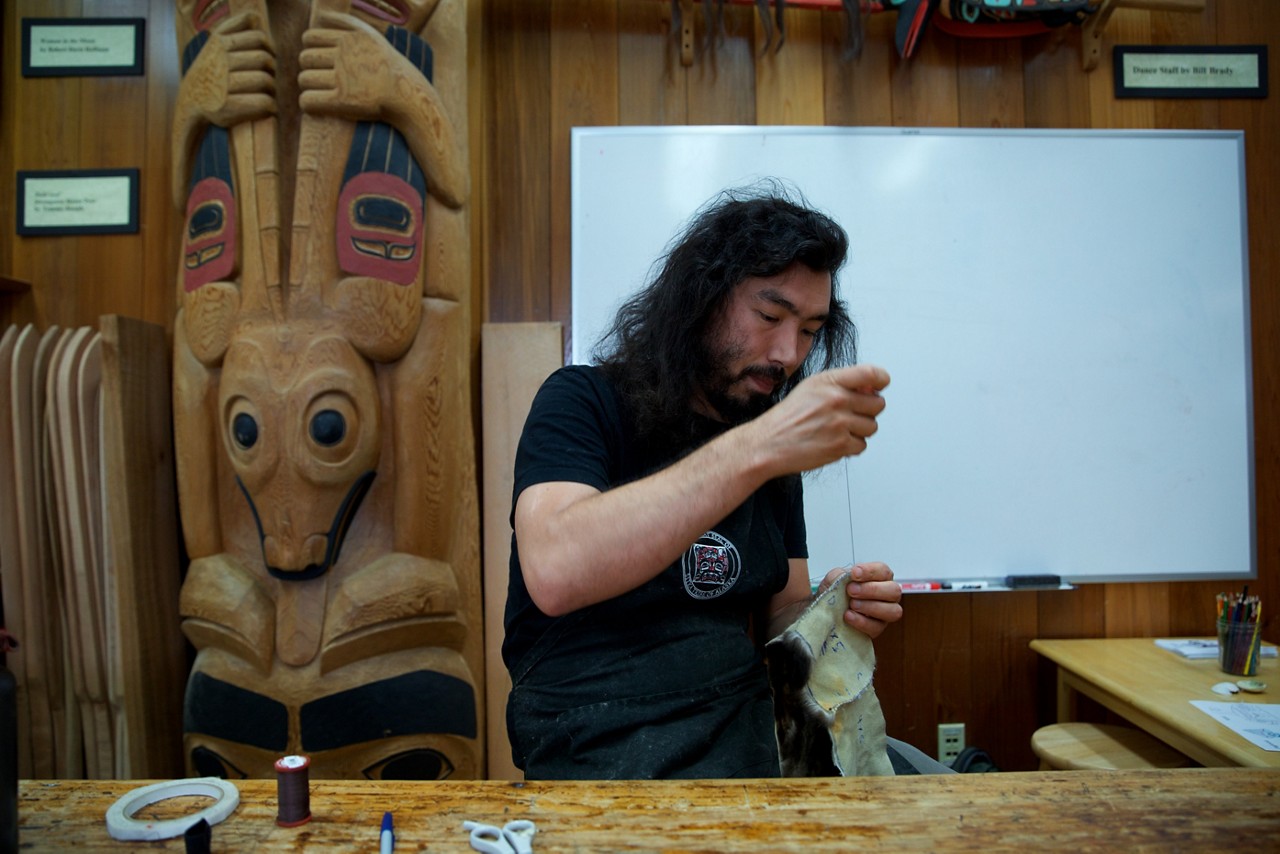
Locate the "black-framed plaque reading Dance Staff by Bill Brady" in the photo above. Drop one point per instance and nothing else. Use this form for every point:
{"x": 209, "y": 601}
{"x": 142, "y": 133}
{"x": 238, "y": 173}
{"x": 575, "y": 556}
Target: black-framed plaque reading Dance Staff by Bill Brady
{"x": 1229, "y": 71}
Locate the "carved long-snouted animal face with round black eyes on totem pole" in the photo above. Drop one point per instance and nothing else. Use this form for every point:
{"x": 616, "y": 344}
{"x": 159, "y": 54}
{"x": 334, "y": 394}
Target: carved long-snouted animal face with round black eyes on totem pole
{"x": 301, "y": 426}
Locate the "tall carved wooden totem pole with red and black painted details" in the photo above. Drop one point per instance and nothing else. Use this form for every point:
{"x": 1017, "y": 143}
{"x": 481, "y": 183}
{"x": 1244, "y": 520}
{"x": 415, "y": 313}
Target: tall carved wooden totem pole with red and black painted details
{"x": 322, "y": 394}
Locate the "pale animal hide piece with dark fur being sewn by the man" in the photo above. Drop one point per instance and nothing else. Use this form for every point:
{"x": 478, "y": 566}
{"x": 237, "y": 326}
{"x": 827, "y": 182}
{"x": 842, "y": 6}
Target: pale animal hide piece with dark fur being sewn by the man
{"x": 828, "y": 718}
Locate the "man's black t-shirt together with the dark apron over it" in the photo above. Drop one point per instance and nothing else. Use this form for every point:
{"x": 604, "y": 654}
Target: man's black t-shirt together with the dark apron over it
{"x": 665, "y": 681}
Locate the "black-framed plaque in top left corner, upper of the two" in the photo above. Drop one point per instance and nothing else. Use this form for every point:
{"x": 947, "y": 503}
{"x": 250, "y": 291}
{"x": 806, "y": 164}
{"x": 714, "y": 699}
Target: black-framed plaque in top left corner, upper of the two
{"x": 83, "y": 47}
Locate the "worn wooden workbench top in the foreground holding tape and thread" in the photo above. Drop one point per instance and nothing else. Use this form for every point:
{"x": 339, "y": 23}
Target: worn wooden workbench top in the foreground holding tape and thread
{"x": 1077, "y": 811}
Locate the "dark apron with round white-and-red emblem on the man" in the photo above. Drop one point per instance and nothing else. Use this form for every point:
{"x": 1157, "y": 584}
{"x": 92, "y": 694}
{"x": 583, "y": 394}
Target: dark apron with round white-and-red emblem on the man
{"x": 665, "y": 682}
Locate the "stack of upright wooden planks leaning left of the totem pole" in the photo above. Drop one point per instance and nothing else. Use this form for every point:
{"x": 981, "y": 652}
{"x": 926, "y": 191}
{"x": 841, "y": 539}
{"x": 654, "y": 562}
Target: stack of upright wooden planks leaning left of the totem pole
{"x": 89, "y": 551}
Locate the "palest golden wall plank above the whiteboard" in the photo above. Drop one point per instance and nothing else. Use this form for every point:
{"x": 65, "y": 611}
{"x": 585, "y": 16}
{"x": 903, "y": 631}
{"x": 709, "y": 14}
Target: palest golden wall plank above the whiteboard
{"x": 789, "y": 79}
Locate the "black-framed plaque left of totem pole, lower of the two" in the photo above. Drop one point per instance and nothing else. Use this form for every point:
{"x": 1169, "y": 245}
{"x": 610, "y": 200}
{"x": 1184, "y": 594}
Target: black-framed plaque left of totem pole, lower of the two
{"x": 79, "y": 202}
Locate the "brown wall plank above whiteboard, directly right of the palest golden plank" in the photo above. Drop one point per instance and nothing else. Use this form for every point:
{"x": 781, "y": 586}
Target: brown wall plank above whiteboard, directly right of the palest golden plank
{"x": 857, "y": 90}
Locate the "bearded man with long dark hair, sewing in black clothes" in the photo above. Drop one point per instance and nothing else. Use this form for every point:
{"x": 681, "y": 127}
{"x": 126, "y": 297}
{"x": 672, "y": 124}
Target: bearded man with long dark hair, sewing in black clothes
{"x": 659, "y": 518}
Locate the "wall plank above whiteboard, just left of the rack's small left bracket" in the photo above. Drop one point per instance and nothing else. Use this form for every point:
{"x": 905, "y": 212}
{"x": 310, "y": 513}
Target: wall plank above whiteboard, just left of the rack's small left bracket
{"x": 653, "y": 88}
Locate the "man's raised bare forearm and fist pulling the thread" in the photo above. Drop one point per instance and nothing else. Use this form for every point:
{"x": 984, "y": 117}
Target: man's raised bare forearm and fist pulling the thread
{"x": 579, "y": 546}
